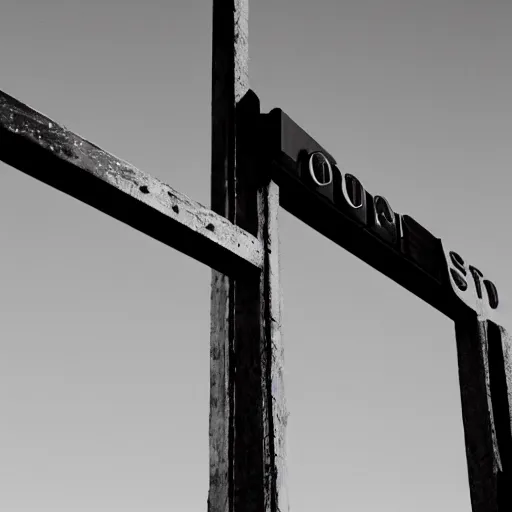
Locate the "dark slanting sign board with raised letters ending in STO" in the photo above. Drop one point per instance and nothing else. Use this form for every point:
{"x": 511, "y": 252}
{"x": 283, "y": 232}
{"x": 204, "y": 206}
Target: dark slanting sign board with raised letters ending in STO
{"x": 337, "y": 204}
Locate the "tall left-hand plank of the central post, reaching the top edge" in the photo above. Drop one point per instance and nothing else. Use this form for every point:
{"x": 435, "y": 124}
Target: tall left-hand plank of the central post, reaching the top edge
{"x": 229, "y": 60}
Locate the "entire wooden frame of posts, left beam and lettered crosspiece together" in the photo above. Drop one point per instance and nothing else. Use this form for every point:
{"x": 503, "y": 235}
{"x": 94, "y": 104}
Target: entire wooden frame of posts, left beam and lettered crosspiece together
{"x": 238, "y": 239}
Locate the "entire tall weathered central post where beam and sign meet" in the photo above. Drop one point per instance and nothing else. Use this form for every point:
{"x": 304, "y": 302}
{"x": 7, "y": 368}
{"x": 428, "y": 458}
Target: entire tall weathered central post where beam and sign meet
{"x": 247, "y": 408}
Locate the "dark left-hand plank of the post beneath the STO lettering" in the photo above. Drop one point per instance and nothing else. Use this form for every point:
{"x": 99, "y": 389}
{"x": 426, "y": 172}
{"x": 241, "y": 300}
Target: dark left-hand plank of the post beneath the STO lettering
{"x": 482, "y": 453}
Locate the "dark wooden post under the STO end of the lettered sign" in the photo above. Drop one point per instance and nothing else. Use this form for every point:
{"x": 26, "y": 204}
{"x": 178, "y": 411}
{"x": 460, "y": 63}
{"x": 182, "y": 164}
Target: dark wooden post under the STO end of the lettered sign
{"x": 484, "y": 368}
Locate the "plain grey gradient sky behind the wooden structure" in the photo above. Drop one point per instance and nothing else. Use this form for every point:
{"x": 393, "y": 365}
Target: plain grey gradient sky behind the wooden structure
{"x": 104, "y": 333}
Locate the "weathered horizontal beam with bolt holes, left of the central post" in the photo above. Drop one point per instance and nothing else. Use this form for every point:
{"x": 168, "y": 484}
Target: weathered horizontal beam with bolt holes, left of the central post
{"x": 47, "y": 151}
